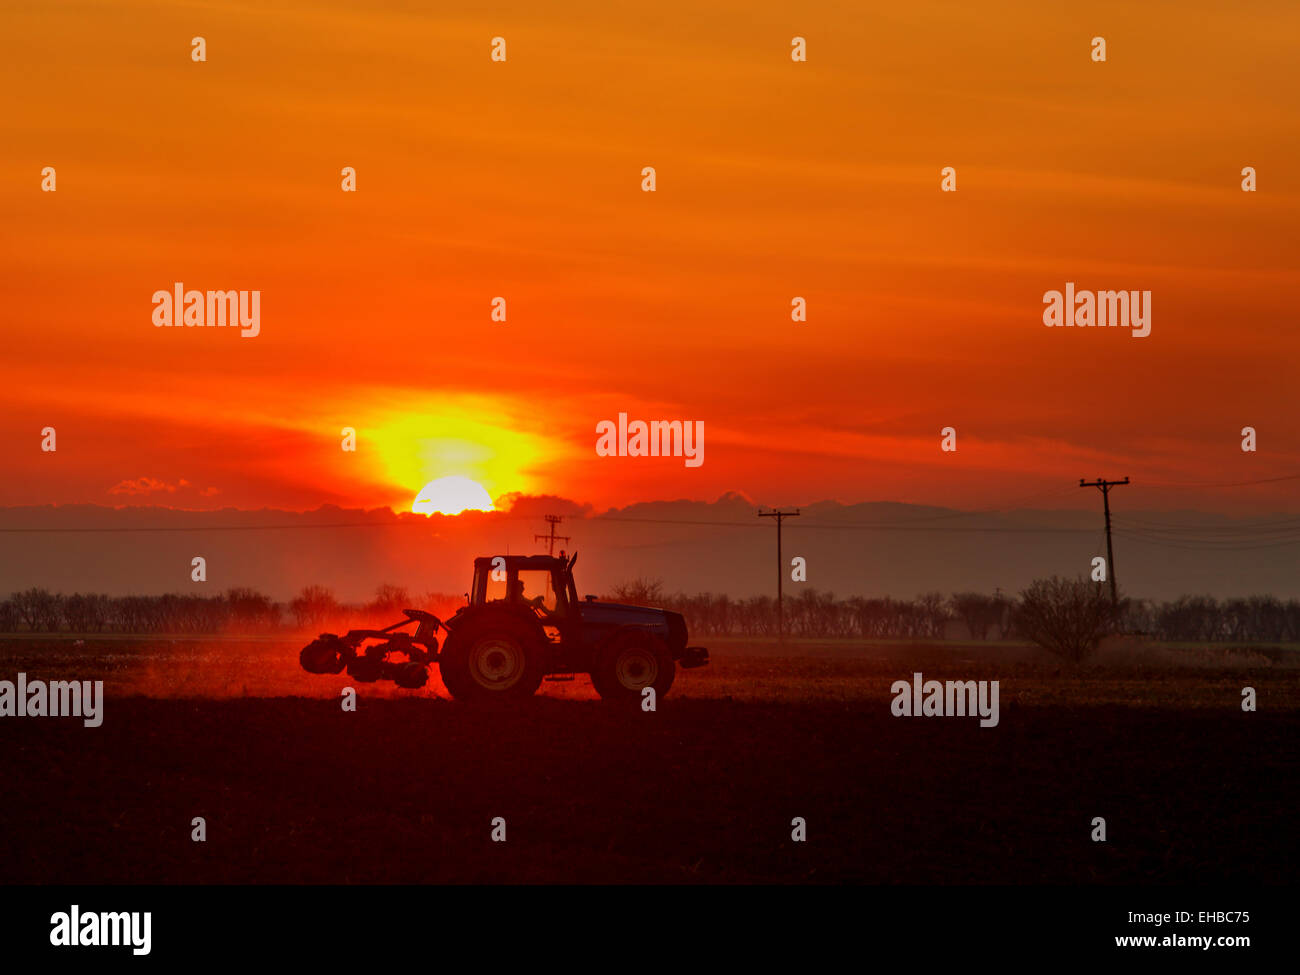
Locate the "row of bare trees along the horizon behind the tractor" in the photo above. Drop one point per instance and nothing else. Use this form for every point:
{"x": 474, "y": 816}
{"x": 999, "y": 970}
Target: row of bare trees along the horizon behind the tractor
{"x": 809, "y": 613}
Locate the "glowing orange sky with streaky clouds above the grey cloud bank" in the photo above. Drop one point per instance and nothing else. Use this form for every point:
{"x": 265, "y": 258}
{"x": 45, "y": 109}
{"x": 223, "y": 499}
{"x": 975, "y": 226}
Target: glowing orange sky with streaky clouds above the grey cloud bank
{"x": 523, "y": 180}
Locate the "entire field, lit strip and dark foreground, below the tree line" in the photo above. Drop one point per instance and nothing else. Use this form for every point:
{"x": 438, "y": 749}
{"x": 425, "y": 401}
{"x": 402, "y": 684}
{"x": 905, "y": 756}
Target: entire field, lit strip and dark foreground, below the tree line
{"x": 703, "y": 791}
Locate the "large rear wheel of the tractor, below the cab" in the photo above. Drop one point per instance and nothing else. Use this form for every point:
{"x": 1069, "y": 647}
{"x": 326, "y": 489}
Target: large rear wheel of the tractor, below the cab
{"x": 492, "y": 664}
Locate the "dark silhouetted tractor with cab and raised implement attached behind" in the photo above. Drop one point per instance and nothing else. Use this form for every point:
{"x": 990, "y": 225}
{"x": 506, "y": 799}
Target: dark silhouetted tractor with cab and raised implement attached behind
{"x": 523, "y": 625}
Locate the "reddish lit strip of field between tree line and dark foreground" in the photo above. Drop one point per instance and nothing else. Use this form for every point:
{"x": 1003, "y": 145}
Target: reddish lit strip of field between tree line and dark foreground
{"x": 743, "y": 670}
